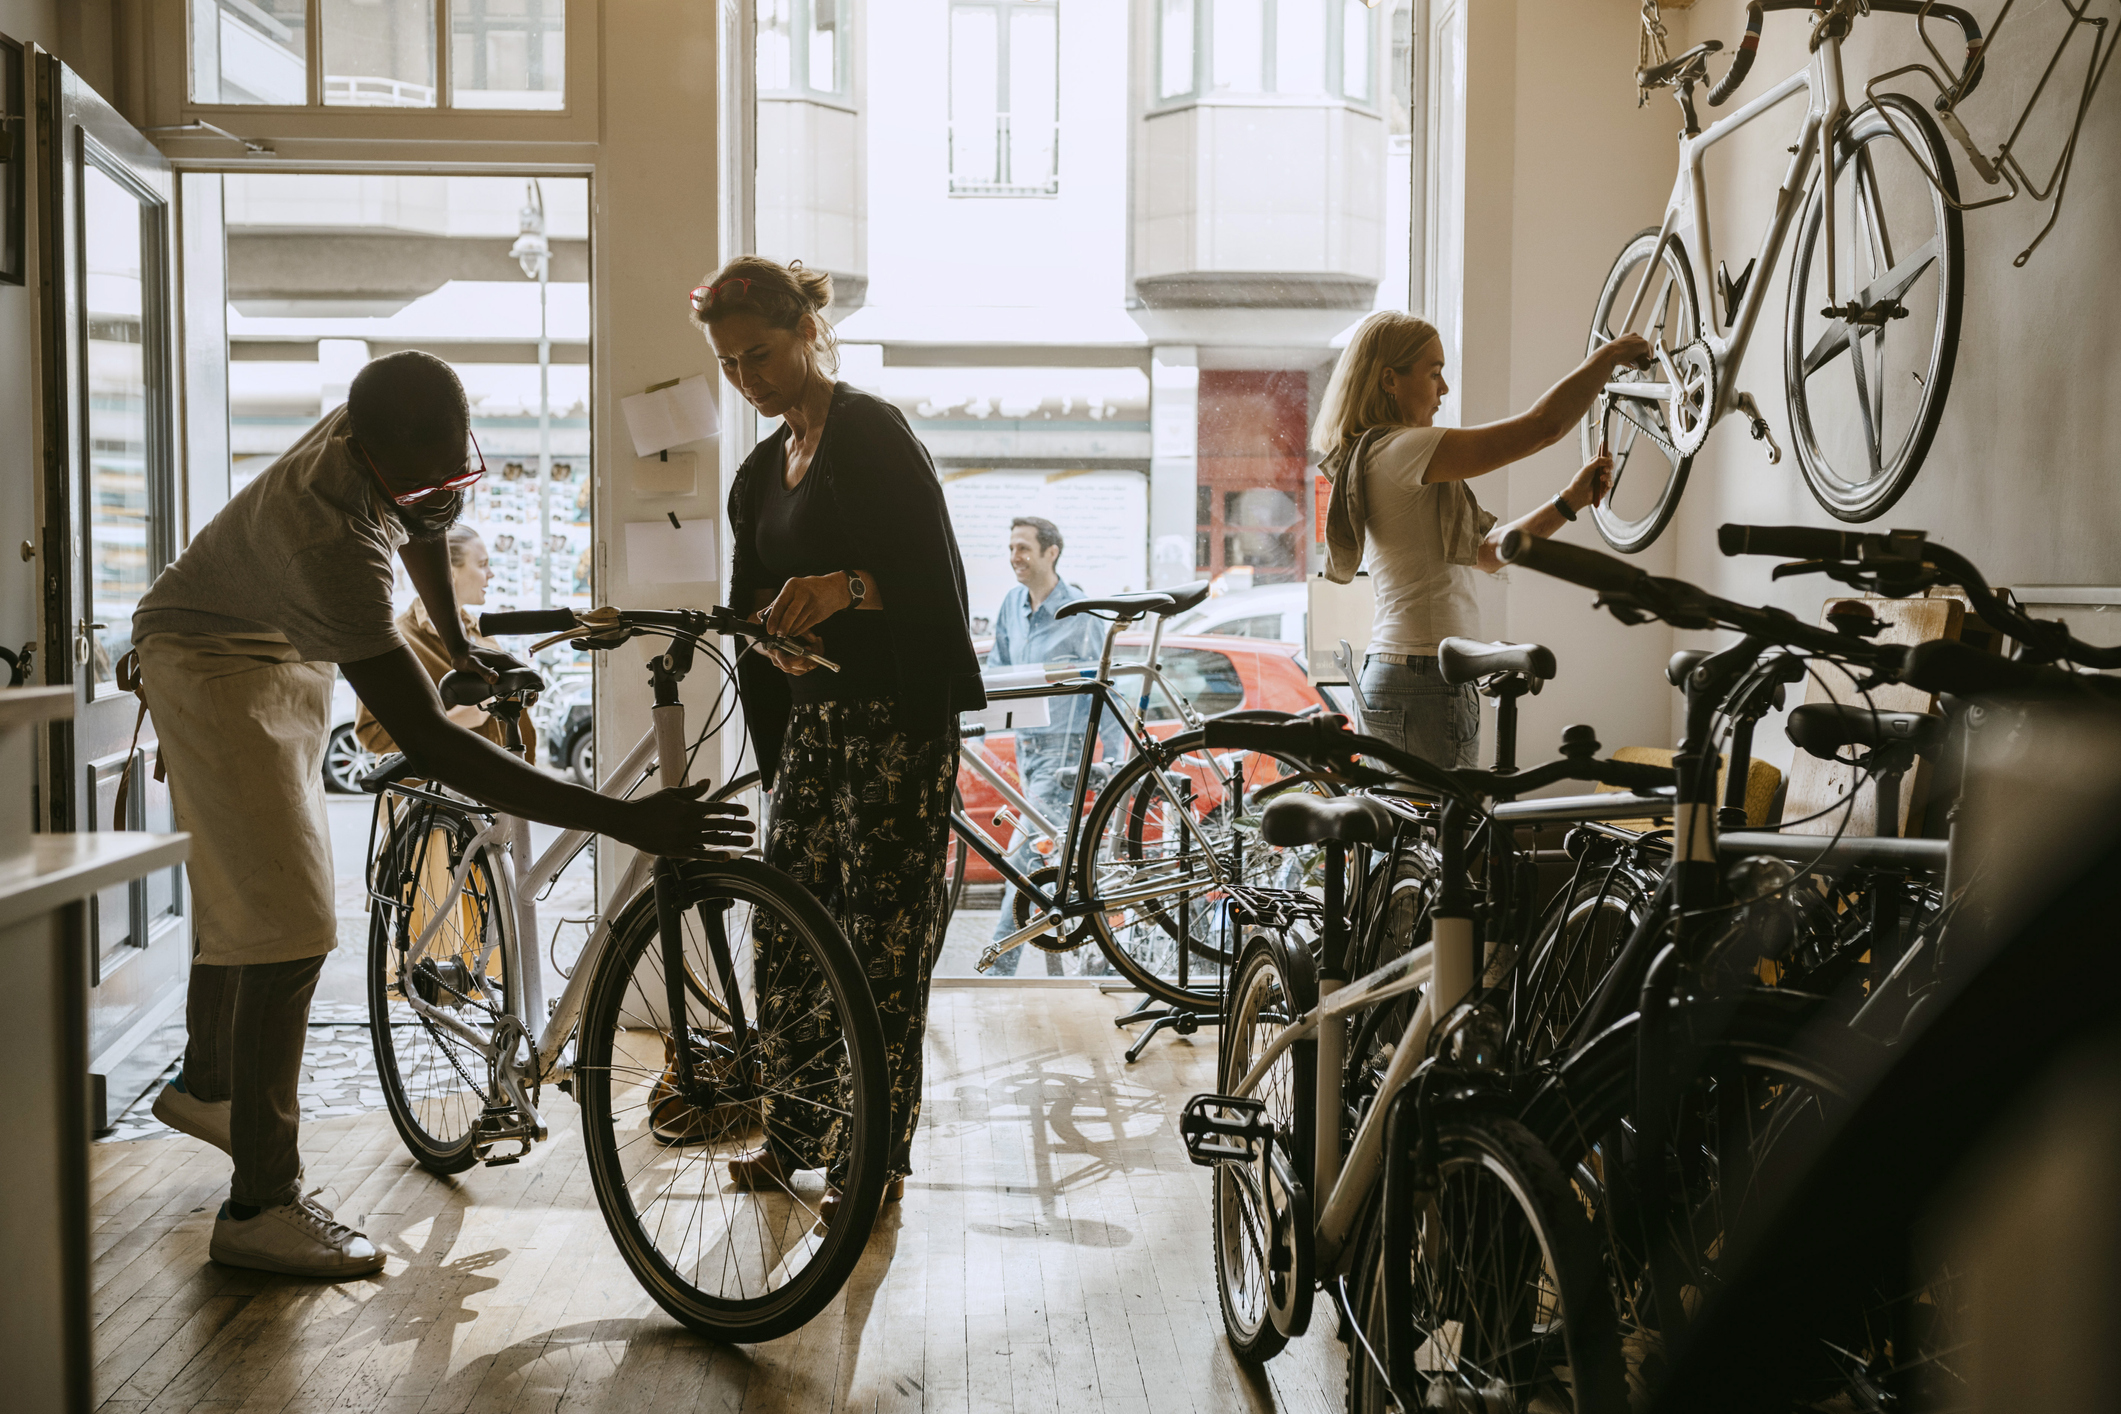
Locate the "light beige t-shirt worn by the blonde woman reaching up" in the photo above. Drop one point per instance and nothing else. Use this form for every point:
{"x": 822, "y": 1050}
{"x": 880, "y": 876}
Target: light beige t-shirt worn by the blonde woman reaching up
{"x": 1422, "y": 599}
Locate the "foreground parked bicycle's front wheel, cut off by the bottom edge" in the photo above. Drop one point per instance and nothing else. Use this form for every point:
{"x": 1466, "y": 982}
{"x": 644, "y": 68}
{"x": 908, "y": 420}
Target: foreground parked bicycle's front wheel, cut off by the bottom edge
{"x": 1488, "y": 1290}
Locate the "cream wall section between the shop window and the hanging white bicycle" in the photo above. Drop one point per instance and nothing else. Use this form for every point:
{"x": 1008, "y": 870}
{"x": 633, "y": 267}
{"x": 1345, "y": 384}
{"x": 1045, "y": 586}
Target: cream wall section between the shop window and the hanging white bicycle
{"x": 1560, "y": 171}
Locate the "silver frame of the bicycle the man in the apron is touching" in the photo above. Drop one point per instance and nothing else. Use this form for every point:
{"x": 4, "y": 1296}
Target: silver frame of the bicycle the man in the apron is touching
{"x": 519, "y": 885}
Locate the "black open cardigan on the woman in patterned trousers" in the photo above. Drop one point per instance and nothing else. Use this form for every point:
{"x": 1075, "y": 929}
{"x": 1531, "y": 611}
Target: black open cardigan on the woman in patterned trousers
{"x": 890, "y": 503}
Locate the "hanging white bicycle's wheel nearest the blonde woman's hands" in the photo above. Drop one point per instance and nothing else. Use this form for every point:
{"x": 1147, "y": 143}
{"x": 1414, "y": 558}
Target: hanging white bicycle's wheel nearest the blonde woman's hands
{"x": 1649, "y": 465}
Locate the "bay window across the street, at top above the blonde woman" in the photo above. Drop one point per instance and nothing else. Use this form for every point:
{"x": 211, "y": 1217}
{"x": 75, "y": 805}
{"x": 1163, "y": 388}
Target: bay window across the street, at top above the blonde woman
{"x": 1240, "y": 48}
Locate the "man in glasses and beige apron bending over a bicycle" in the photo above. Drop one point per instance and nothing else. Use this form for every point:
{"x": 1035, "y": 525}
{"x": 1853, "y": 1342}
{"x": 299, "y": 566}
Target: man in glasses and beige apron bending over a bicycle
{"x": 236, "y": 652}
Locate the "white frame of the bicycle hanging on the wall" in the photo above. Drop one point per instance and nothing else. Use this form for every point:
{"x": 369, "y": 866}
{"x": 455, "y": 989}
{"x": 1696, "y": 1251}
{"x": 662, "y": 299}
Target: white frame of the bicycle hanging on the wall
{"x": 1730, "y": 334}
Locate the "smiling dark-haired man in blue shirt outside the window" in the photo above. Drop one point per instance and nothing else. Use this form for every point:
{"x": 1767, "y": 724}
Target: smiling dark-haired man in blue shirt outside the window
{"x": 1026, "y": 637}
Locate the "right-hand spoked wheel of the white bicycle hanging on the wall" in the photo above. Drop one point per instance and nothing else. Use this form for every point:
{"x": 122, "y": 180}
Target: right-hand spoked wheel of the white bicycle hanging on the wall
{"x": 1865, "y": 400}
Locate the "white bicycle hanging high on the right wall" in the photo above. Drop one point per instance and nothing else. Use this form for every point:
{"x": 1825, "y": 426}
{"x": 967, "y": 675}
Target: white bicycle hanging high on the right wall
{"x": 1882, "y": 181}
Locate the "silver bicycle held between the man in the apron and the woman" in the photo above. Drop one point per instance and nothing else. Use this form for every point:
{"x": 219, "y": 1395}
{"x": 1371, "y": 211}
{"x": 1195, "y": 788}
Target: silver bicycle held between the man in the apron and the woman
{"x": 714, "y": 1008}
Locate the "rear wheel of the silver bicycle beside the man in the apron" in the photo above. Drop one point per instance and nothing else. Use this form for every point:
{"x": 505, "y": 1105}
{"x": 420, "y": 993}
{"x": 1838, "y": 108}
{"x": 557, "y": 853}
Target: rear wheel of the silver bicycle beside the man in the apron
{"x": 436, "y": 1082}
